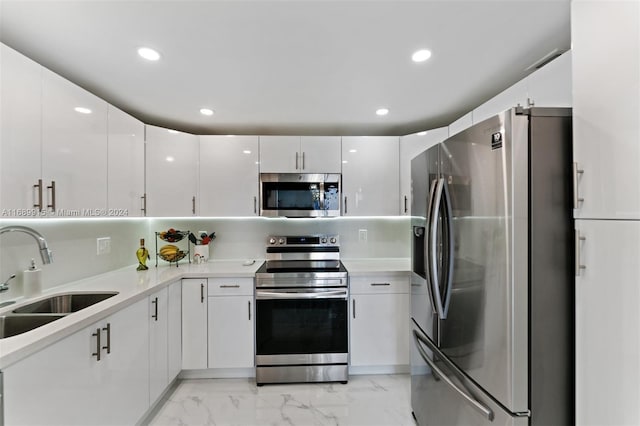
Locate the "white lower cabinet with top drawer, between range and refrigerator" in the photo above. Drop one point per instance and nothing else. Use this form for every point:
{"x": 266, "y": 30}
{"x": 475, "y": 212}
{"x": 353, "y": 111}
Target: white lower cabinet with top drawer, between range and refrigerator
{"x": 379, "y": 323}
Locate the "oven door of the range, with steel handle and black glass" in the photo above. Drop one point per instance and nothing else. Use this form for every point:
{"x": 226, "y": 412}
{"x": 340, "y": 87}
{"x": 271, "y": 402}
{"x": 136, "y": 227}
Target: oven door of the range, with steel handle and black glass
{"x": 301, "y": 326}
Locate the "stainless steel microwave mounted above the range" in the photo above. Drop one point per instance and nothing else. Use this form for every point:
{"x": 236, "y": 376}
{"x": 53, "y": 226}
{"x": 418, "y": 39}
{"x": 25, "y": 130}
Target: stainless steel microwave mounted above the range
{"x": 300, "y": 194}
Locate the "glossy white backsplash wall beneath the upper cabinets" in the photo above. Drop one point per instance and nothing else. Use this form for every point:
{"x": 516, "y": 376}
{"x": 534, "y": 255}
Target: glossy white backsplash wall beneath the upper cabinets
{"x": 74, "y": 246}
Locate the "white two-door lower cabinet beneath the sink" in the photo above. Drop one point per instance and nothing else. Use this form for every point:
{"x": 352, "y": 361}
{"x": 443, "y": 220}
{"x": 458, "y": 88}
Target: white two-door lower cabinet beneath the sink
{"x": 67, "y": 384}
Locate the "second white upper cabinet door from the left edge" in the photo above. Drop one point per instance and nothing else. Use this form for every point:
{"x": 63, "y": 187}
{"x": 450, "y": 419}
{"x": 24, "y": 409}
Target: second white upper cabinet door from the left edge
{"x": 74, "y": 147}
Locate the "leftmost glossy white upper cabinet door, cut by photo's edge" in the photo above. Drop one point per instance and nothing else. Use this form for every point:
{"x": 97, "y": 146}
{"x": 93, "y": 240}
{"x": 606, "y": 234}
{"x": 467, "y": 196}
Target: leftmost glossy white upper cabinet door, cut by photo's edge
{"x": 20, "y": 133}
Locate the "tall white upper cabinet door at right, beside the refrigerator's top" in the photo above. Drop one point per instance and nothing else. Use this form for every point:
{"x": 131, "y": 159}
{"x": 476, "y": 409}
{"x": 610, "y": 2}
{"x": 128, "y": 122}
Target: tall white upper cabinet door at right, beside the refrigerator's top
{"x": 606, "y": 107}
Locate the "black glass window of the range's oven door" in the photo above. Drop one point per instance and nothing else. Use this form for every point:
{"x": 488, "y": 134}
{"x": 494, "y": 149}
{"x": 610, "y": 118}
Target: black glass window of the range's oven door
{"x": 285, "y": 327}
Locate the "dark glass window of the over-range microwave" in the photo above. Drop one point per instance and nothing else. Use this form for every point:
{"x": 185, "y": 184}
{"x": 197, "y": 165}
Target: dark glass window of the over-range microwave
{"x": 291, "y": 196}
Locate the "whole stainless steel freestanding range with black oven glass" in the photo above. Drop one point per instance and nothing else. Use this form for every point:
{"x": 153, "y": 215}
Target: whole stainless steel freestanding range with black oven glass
{"x": 302, "y": 311}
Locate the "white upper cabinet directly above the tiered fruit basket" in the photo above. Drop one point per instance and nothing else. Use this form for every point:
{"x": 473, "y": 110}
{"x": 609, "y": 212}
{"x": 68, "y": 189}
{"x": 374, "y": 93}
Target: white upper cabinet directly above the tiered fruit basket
{"x": 171, "y": 165}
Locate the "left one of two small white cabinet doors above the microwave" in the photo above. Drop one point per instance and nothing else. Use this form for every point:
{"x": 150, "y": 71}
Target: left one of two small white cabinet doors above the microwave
{"x": 280, "y": 154}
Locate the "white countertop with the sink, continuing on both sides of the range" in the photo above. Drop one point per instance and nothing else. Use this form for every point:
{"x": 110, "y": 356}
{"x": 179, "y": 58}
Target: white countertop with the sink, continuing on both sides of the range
{"x": 133, "y": 286}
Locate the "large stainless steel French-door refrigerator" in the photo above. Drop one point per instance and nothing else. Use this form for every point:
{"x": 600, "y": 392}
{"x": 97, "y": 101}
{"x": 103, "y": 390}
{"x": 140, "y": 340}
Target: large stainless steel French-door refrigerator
{"x": 492, "y": 286}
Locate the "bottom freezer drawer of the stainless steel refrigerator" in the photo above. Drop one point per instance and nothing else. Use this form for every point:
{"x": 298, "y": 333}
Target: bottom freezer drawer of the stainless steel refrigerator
{"x": 449, "y": 397}
